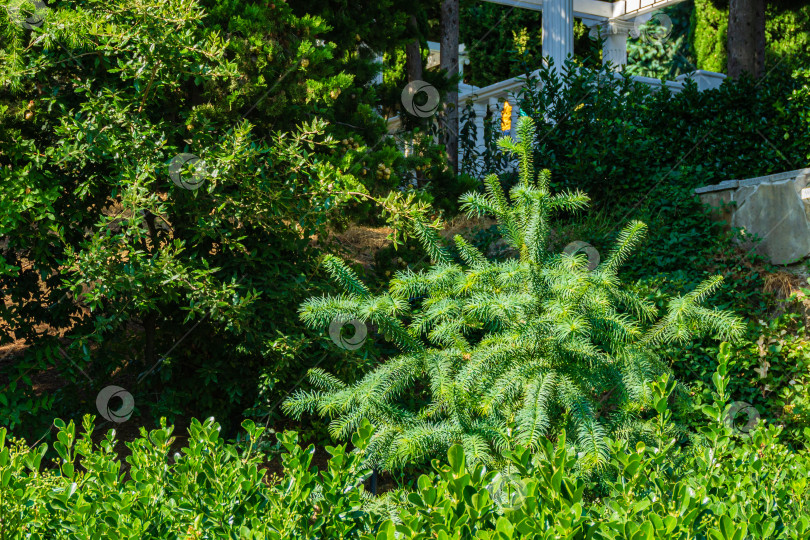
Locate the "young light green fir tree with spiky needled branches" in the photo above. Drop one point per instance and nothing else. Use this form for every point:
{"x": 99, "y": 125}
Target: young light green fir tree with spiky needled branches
{"x": 505, "y": 352}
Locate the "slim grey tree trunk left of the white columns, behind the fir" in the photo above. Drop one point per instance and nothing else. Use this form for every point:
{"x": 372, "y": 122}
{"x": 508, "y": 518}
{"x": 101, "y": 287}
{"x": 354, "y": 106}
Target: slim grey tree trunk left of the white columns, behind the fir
{"x": 448, "y": 61}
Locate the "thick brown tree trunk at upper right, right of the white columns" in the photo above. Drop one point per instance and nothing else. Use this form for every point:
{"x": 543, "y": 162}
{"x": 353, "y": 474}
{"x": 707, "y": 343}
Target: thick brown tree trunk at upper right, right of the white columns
{"x": 746, "y": 38}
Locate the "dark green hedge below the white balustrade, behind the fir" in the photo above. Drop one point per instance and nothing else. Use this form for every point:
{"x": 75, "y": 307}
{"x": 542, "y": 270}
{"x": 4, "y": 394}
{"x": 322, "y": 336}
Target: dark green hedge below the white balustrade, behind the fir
{"x": 619, "y": 140}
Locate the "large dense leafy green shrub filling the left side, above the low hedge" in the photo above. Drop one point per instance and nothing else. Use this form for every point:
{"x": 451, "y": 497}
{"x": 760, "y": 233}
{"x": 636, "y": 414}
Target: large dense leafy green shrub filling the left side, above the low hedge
{"x": 134, "y": 272}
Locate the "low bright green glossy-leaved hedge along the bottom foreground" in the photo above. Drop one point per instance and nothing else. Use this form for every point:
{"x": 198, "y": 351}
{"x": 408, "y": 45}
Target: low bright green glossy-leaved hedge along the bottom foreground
{"x": 725, "y": 486}
